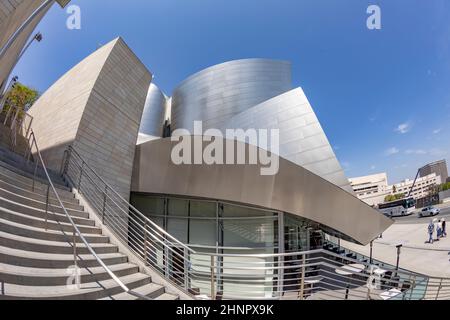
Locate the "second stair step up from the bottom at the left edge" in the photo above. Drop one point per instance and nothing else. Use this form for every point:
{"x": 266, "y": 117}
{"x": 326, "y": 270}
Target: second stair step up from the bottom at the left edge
{"x": 58, "y": 277}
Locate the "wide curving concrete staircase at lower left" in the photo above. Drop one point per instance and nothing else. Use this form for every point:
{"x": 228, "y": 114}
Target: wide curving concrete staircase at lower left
{"x": 35, "y": 255}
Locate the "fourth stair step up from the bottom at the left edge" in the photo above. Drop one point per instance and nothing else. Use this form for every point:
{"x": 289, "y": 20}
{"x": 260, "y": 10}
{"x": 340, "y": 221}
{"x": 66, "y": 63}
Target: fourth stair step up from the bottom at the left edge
{"x": 45, "y": 246}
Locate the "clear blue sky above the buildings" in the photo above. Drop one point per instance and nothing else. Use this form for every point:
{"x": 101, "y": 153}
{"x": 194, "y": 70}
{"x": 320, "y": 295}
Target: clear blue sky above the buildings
{"x": 382, "y": 96}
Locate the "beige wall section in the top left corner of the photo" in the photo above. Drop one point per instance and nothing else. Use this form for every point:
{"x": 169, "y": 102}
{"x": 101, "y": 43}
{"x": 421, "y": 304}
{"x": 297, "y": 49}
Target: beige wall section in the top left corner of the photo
{"x": 12, "y": 14}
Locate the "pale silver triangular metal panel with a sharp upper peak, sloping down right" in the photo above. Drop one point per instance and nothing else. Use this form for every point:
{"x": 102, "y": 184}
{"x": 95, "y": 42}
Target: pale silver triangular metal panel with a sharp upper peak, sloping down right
{"x": 302, "y": 139}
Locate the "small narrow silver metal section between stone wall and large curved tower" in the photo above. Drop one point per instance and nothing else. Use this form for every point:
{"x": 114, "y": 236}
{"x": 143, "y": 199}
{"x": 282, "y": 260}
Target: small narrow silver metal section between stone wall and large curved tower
{"x": 154, "y": 113}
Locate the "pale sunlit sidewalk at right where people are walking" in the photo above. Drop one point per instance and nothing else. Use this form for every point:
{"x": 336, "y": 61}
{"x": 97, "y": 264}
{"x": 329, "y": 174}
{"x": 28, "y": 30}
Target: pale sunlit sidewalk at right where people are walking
{"x": 416, "y": 254}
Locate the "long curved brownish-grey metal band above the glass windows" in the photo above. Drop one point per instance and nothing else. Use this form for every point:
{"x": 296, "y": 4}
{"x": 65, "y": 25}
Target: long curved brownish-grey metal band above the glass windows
{"x": 294, "y": 189}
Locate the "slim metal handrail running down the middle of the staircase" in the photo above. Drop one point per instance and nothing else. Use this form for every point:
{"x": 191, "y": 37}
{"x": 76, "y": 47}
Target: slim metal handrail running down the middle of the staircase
{"x": 76, "y": 231}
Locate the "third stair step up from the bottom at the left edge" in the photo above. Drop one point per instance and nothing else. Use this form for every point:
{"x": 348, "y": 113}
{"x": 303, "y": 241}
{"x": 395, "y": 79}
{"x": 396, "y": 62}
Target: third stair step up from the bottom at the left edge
{"x": 55, "y": 261}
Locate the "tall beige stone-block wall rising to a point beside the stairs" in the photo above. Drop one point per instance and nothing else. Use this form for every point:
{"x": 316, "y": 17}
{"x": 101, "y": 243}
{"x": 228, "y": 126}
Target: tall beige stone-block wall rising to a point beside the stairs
{"x": 97, "y": 106}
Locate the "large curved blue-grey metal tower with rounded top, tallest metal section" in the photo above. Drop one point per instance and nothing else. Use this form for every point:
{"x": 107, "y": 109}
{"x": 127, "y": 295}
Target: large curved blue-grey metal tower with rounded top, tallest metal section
{"x": 216, "y": 94}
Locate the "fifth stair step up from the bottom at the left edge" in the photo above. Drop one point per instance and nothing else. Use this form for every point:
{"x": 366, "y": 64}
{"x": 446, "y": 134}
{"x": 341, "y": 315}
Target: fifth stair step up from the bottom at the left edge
{"x": 51, "y": 235}
